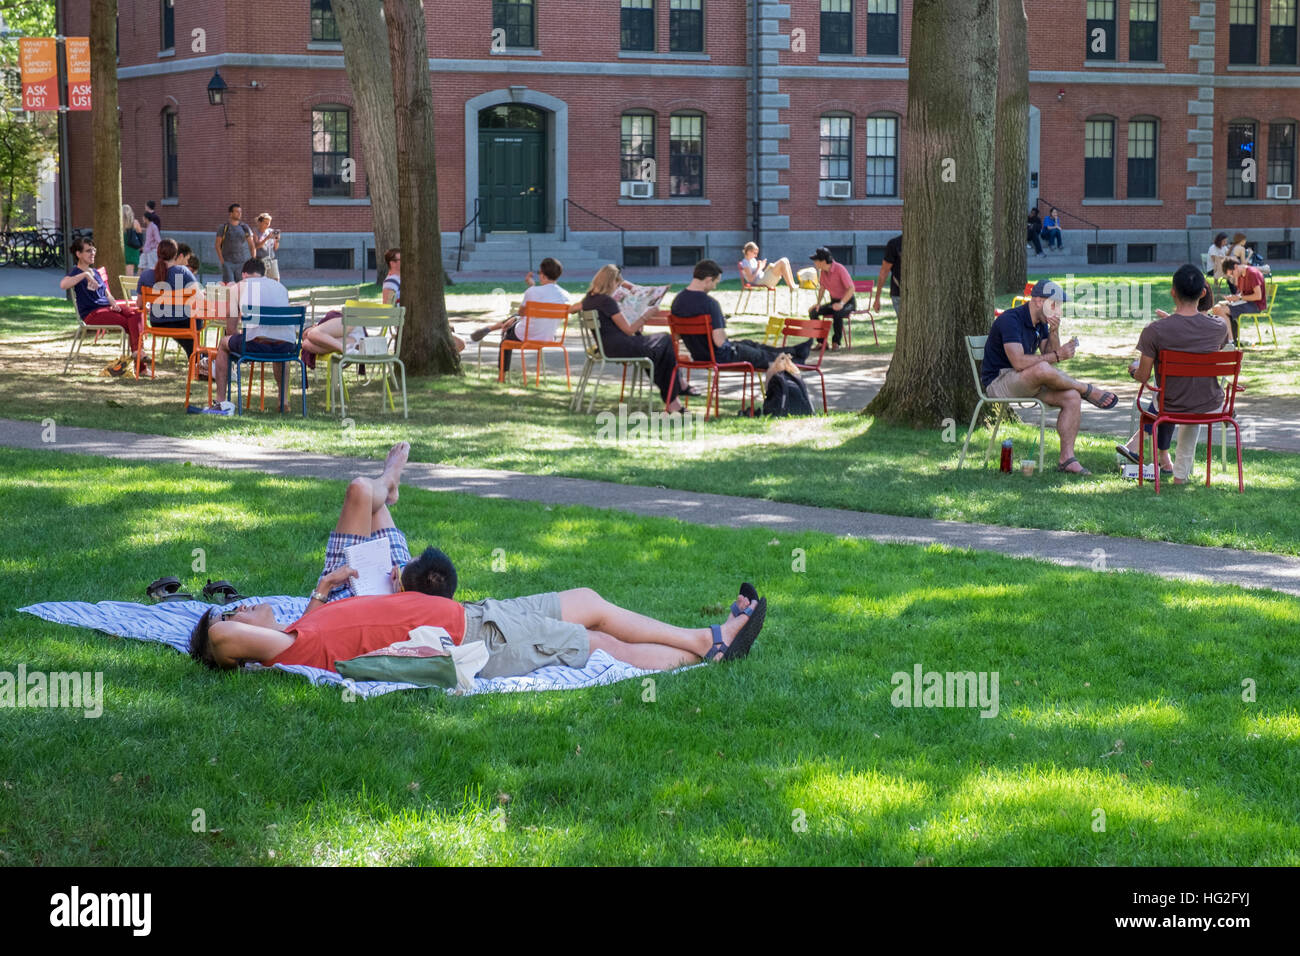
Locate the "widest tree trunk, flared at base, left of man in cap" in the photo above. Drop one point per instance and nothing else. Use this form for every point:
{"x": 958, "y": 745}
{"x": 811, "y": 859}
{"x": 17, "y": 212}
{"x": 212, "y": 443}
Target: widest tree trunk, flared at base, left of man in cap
{"x": 947, "y": 214}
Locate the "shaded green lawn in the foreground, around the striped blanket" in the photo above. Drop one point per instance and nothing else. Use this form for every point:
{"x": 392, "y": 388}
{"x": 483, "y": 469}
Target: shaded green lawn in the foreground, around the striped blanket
{"x": 1126, "y": 698}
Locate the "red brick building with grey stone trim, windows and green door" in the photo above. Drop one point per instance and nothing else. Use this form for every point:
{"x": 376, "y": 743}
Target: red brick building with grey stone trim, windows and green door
{"x": 627, "y": 127}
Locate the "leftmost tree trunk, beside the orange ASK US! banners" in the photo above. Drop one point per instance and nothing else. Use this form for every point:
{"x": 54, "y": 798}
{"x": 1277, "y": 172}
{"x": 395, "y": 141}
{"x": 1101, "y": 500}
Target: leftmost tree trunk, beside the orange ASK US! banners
{"x": 107, "y": 141}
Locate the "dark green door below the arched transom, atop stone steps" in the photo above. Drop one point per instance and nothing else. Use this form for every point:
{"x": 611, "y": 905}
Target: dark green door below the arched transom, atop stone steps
{"x": 513, "y": 180}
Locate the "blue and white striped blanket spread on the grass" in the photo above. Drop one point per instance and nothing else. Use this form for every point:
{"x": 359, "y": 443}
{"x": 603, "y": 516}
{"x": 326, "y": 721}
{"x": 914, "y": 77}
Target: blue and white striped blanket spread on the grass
{"x": 172, "y": 622}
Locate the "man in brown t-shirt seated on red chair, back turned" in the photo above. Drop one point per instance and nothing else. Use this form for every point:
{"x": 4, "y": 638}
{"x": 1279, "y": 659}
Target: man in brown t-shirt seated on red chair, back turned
{"x": 1188, "y": 330}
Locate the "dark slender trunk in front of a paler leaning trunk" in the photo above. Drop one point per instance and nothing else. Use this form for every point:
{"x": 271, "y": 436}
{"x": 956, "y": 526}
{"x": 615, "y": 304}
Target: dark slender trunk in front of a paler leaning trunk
{"x": 427, "y": 344}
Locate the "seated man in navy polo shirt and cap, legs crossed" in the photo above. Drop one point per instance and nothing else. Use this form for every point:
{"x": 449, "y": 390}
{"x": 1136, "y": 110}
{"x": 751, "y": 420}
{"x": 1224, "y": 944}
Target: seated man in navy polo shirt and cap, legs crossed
{"x": 1020, "y": 362}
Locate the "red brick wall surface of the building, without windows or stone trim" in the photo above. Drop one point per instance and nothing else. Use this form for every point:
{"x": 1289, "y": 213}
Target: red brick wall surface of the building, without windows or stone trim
{"x": 265, "y": 161}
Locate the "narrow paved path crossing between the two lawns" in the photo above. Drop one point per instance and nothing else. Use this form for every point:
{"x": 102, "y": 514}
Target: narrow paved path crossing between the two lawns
{"x": 1073, "y": 550}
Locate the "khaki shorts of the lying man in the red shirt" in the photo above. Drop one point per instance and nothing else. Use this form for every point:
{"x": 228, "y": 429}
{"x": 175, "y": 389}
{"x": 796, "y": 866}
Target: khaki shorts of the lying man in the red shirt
{"x": 525, "y": 634}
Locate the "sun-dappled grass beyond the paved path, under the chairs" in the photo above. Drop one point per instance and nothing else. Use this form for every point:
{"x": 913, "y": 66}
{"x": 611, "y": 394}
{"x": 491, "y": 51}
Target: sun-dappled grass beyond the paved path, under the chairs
{"x": 843, "y": 461}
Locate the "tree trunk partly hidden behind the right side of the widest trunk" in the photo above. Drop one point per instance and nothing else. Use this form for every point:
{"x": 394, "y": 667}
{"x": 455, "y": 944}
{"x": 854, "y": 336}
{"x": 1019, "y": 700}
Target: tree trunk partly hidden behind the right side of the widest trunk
{"x": 1012, "y": 167}
